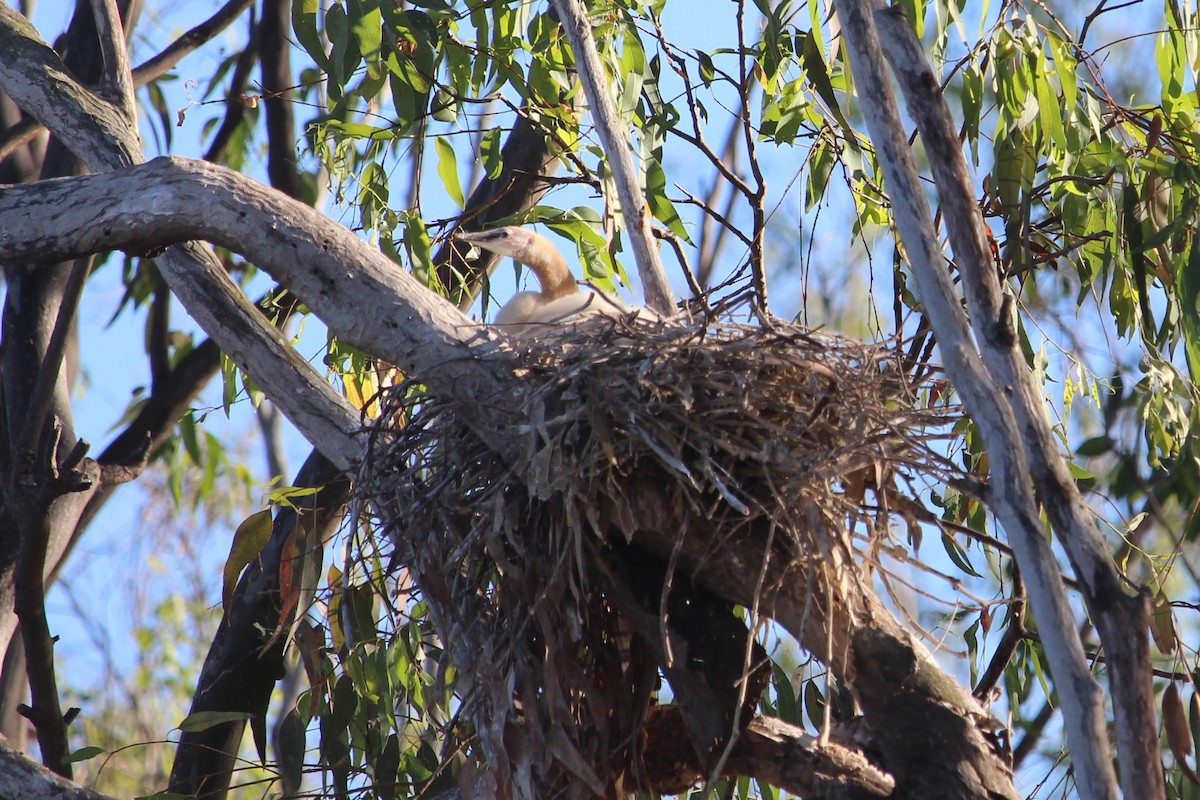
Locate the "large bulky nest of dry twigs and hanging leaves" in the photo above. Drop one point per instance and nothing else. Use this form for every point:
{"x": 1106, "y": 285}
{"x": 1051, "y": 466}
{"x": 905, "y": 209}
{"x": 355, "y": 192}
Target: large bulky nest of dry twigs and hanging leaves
{"x": 675, "y": 431}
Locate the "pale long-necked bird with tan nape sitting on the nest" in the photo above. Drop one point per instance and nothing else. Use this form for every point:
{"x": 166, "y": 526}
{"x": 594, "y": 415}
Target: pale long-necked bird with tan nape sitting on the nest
{"x": 561, "y": 304}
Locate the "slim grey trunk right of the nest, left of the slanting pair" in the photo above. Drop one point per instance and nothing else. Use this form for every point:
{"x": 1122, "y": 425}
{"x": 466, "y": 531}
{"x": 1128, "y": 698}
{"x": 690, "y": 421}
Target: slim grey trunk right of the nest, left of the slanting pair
{"x": 987, "y": 402}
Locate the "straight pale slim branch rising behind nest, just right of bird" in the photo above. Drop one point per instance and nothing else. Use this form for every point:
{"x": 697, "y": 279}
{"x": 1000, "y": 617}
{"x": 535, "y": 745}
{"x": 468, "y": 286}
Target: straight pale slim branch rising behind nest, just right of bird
{"x": 616, "y": 147}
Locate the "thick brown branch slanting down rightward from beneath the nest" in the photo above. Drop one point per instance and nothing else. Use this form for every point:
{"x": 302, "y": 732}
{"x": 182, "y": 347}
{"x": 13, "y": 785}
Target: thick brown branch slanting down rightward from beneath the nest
{"x": 917, "y": 714}
